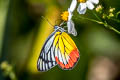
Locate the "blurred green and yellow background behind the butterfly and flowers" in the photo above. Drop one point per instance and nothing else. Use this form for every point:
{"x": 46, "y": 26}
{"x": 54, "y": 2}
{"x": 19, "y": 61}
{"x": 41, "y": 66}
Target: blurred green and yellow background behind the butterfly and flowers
{"x": 23, "y": 32}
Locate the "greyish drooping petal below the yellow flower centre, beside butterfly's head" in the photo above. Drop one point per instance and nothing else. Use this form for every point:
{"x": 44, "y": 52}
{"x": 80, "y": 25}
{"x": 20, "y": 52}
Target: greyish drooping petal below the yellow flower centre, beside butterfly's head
{"x": 71, "y": 28}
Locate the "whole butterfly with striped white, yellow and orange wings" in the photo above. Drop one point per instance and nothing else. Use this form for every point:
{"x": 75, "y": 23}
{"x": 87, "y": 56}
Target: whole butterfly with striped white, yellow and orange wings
{"x": 59, "y": 49}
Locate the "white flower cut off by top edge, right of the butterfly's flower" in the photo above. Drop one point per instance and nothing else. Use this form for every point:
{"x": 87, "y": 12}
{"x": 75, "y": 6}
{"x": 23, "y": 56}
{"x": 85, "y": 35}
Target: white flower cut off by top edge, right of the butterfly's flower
{"x": 84, "y": 4}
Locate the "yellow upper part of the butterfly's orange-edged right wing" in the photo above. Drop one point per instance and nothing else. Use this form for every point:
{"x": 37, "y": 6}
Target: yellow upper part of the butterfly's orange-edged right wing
{"x": 64, "y": 42}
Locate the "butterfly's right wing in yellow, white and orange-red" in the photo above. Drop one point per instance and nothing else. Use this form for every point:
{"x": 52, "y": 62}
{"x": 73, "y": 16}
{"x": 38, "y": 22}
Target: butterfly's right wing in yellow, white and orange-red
{"x": 66, "y": 52}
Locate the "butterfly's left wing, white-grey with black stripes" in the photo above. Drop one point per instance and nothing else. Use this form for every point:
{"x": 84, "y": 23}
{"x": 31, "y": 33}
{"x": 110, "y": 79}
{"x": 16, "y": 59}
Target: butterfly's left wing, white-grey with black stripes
{"x": 46, "y": 59}
